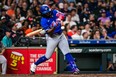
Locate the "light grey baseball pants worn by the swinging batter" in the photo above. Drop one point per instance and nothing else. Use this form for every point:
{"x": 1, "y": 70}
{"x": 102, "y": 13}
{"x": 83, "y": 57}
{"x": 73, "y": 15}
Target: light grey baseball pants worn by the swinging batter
{"x": 52, "y": 43}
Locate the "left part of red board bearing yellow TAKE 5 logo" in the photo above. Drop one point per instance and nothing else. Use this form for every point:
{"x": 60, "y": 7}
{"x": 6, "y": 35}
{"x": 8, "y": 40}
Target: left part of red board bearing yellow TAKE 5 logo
{"x": 17, "y": 61}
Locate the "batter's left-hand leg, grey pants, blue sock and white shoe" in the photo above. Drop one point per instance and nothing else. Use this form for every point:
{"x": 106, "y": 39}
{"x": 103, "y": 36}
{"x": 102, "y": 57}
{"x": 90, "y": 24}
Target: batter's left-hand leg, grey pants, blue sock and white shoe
{"x": 51, "y": 45}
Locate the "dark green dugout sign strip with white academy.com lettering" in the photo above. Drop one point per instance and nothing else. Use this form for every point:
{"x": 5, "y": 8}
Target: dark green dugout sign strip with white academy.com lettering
{"x": 93, "y": 50}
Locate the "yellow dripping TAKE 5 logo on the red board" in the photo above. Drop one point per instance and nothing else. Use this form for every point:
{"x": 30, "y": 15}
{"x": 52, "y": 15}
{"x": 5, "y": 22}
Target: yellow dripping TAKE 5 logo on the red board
{"x": 16, "y": 58}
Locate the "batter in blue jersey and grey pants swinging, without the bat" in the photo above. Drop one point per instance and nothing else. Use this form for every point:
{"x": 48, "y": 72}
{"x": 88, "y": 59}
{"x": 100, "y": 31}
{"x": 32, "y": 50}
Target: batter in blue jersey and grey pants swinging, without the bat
{"x": 50, "y": 22}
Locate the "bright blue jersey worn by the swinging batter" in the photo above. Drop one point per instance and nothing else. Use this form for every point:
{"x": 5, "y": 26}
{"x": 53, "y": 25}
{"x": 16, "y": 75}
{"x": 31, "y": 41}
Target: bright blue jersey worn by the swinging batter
{"x": 48, "y": 23}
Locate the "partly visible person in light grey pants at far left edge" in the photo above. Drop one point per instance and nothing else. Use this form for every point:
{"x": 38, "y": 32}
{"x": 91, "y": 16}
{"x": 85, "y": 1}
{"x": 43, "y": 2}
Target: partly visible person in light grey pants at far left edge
{"x": 3, "y": 60}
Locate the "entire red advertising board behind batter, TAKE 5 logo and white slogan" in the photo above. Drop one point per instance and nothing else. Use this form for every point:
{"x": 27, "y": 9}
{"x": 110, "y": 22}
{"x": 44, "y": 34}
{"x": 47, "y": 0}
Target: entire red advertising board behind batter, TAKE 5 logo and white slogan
{"x": 20, "y": 59}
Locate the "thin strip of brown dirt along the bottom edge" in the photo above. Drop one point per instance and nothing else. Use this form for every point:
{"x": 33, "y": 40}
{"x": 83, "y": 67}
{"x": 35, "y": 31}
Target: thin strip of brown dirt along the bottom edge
{"x": 61, "y": 75}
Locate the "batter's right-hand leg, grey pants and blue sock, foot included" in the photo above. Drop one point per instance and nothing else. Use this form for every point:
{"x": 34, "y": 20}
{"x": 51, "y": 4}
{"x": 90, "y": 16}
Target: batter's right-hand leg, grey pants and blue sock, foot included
{"x": 63, "y": 45}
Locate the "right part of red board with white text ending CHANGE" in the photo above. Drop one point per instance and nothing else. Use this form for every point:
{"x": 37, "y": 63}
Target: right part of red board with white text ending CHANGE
{"x": 48, "y": 67}
